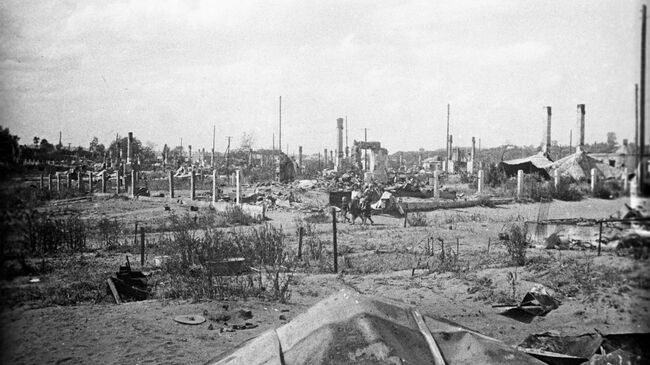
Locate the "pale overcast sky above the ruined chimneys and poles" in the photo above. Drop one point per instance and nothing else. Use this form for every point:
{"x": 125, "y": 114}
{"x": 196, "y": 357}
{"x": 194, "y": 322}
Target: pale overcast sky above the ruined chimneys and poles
{"x": 168, "y": 70}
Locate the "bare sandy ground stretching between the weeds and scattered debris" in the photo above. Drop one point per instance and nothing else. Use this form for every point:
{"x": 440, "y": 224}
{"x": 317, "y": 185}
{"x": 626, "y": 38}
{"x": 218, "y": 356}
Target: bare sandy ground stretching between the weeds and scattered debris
{"x": 616, "y": 298}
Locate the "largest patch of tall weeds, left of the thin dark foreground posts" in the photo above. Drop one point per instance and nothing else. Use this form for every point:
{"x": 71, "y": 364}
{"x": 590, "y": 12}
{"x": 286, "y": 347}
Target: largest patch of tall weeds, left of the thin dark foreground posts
{"x": 200, "y": 255}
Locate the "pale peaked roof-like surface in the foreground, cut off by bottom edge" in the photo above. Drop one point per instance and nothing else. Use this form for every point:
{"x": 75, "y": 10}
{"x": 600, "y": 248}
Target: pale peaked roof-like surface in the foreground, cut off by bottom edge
{"x": 351, "y": 328}
